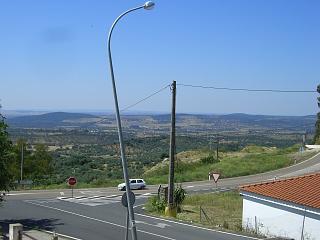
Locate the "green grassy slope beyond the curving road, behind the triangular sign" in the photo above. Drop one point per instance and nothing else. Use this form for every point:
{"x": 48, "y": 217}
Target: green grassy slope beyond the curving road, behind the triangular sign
{"x": 231, "y": 165}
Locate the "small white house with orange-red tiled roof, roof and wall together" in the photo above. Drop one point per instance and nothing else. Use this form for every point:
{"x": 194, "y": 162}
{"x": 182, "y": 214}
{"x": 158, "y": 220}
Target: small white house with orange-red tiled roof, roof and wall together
{"x": 287, "y": 208}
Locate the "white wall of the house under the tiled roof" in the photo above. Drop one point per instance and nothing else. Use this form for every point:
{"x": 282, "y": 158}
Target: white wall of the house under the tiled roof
{"x": 275, "y": 218}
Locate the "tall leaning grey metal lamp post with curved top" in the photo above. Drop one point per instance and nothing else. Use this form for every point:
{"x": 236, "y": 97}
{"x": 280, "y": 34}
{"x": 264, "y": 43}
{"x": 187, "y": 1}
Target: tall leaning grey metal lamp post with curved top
{"x": 148, "y": 6}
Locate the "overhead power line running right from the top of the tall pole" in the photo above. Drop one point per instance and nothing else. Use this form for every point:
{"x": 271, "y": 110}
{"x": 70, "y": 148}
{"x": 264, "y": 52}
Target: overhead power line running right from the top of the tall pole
{"x": 247, "y": 89}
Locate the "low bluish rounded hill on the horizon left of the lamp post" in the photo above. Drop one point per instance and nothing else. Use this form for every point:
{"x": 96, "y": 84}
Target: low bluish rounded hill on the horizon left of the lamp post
{"x": 52, "y": 120}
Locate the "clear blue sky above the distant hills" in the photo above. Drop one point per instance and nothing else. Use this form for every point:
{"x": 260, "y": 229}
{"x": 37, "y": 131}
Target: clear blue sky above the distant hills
{"x": 53, "y": 54}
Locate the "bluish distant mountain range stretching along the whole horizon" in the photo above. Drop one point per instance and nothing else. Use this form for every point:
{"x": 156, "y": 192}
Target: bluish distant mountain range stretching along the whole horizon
{"x": 160, "y": 121}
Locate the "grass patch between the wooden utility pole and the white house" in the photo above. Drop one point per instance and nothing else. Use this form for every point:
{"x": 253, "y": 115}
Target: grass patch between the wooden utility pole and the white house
{"x": 221, "y": 210}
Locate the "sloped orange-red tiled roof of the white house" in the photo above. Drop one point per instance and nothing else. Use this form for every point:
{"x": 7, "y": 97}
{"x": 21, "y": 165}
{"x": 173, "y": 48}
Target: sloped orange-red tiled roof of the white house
{"x": 303, "y": 190}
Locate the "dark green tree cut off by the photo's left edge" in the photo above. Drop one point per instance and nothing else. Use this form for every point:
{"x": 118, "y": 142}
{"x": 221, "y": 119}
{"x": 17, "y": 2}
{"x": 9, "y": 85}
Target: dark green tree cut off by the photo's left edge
{"x": 6, "y": 176}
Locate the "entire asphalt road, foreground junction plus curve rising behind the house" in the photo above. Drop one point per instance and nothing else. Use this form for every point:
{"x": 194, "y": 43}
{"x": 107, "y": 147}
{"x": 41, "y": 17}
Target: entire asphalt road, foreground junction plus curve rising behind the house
{"x": 96, "y": 214}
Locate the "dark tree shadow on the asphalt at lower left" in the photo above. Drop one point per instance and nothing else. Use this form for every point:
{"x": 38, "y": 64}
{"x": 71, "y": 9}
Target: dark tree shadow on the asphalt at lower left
{"x": 29, "y": 223}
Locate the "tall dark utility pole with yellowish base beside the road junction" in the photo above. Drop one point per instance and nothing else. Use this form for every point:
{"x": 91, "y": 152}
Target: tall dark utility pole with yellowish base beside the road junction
{"x": 170, "y": 209}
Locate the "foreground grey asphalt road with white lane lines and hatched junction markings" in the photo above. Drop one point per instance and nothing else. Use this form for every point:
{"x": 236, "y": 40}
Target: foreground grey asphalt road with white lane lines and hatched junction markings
{"x": 95, "y": 218}
